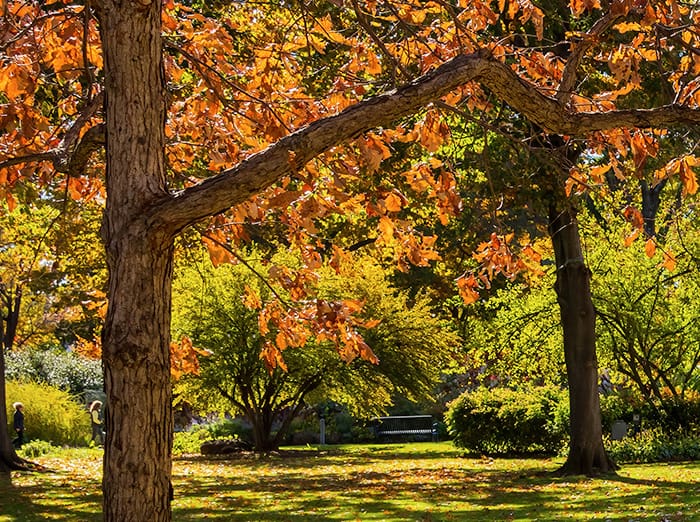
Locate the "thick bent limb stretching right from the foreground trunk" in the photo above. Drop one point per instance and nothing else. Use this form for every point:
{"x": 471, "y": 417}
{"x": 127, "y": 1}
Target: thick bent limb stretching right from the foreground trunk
{"x": 292, "y": 152}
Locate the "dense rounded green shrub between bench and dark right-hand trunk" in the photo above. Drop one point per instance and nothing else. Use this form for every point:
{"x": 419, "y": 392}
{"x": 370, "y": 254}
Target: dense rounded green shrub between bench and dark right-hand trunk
{"x": 502, "y": 421}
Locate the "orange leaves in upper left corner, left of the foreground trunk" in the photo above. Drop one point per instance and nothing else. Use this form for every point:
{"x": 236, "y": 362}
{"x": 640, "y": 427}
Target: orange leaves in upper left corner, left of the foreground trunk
{"x": 45, "y": 51}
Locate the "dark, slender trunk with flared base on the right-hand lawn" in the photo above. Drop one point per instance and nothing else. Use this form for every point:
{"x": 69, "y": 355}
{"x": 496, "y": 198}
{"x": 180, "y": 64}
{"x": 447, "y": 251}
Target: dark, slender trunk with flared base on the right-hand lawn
{"x": 586, "y": 452}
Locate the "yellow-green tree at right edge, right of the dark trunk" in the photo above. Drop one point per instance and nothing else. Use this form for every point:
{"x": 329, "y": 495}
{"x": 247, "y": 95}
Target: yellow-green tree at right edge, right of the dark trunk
{"x": 648, "y": 319}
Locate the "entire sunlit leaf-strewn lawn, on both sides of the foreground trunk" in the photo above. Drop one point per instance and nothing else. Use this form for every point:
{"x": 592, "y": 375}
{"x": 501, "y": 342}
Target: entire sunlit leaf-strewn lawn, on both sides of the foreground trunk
{"x": 398, "y": 482}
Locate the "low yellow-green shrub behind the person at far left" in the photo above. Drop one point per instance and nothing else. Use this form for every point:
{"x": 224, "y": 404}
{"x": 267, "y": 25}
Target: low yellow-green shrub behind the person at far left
{"x": 50, "y": 414}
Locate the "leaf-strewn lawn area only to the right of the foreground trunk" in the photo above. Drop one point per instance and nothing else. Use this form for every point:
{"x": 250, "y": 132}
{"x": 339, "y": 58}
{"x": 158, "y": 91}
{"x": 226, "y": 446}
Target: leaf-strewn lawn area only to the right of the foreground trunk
{"x": 392, "y": 484}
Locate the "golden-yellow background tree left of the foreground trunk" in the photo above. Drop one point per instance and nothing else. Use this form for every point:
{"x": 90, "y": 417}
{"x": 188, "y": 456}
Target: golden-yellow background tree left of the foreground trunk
{"x": 51, "y": 281}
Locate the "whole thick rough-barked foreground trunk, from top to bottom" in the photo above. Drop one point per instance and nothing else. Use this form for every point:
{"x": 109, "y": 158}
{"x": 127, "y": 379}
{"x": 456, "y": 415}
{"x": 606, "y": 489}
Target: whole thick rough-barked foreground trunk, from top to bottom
{"x": 136, "y": 337}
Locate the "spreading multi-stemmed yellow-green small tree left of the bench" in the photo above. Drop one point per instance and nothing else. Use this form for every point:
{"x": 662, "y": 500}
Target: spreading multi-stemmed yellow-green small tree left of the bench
{"x": 410, "y": 344}
